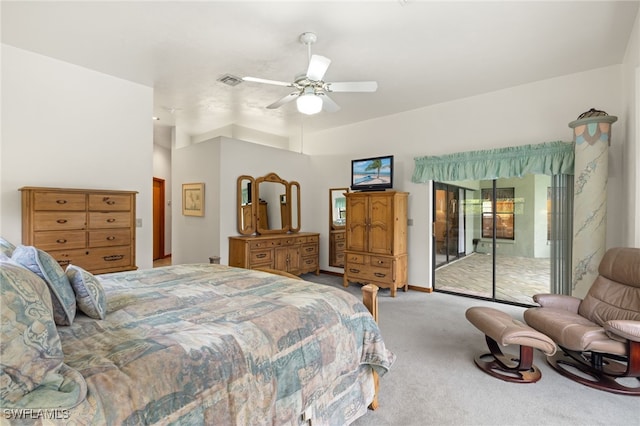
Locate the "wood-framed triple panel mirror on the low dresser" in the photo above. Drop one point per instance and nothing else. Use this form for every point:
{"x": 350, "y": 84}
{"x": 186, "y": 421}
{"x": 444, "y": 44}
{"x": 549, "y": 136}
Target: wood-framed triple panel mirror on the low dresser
{"x": 267, "y": 205}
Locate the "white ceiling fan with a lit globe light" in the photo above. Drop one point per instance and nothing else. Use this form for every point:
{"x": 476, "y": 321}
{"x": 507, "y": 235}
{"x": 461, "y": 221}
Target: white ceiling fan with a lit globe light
{"x": 311, "y": 91}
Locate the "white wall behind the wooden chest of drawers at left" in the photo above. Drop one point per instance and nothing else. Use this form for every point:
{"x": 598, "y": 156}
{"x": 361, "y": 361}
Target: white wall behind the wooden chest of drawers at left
{"x": 67, "y": 126}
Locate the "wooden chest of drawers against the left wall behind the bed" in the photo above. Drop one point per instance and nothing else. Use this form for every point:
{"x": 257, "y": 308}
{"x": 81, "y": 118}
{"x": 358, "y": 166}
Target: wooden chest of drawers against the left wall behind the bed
{"x": 93, "y": 229}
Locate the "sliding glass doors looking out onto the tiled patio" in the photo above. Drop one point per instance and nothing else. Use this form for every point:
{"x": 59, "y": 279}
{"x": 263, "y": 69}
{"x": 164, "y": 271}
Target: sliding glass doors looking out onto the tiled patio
{"x": 506, "y": 251}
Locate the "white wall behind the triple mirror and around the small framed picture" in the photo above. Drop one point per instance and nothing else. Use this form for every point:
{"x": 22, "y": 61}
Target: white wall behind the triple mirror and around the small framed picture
{"x": 218, "y": 163}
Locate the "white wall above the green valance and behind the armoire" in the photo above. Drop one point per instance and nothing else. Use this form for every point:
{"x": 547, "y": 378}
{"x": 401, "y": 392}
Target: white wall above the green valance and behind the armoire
{"x": 528, "y": 114}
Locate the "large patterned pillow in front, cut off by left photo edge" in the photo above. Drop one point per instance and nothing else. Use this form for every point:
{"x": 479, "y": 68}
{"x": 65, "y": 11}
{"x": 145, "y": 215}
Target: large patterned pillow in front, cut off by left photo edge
{"x": 33, "y": 374}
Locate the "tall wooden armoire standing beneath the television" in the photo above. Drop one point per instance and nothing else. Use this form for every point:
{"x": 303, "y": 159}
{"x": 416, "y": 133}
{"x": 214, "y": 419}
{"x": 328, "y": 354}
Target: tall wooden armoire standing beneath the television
{"x": 376, "y": 239}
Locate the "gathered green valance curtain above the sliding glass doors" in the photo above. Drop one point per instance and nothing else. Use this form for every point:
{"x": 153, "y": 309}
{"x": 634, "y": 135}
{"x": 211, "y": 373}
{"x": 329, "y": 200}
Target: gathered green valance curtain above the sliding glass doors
{"x": 549, "y": 158}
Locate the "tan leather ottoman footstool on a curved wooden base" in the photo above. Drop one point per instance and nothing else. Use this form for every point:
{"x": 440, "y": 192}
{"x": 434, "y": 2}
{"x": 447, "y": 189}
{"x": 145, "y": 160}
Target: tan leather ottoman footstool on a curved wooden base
{"x": 502, "y": 330}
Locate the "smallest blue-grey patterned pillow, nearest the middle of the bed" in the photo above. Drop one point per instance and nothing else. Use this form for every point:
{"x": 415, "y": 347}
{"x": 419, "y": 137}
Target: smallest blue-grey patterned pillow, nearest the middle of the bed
{"x": 90, "y": 297}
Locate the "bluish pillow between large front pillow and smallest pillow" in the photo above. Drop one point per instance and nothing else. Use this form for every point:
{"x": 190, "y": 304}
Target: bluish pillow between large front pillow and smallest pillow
{"x": 46, "y": 267}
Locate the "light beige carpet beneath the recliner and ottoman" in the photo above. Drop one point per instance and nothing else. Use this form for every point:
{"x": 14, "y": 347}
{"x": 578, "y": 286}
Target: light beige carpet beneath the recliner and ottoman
{"x": 435, "y": 382}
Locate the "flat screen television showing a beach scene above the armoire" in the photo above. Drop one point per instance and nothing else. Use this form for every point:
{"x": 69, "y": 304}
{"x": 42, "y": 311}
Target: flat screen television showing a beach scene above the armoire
{"x": 372, "y": 174}
